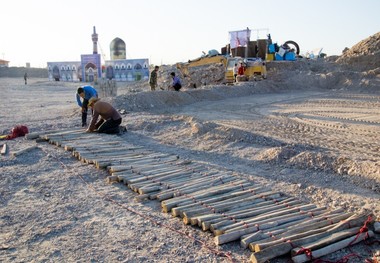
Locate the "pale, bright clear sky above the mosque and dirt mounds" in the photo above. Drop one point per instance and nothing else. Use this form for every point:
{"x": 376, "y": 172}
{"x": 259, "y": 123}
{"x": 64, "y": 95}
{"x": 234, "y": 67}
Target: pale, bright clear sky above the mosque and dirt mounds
{"x": 170, "y": 31}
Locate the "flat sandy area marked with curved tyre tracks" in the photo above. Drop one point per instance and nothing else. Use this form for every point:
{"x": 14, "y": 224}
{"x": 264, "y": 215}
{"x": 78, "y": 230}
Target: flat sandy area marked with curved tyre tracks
{"x": 345, "y": 125}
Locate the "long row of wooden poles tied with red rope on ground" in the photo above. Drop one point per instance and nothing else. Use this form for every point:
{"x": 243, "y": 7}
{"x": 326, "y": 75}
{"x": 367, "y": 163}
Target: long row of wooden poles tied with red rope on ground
{"x": 267, "y": 222}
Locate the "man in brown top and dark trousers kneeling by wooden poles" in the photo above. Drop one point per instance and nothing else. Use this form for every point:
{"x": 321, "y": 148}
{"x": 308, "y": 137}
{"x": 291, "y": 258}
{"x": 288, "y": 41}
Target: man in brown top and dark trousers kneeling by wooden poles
{"x": 110, "y": 118}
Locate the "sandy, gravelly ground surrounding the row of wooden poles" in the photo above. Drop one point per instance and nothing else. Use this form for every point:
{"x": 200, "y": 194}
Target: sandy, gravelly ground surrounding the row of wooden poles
{"x": 312, "y": 136}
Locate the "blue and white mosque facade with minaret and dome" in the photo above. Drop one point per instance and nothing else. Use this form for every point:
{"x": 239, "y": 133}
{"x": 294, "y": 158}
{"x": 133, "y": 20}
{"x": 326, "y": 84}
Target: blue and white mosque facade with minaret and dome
{"x": 90, "y": 69}
